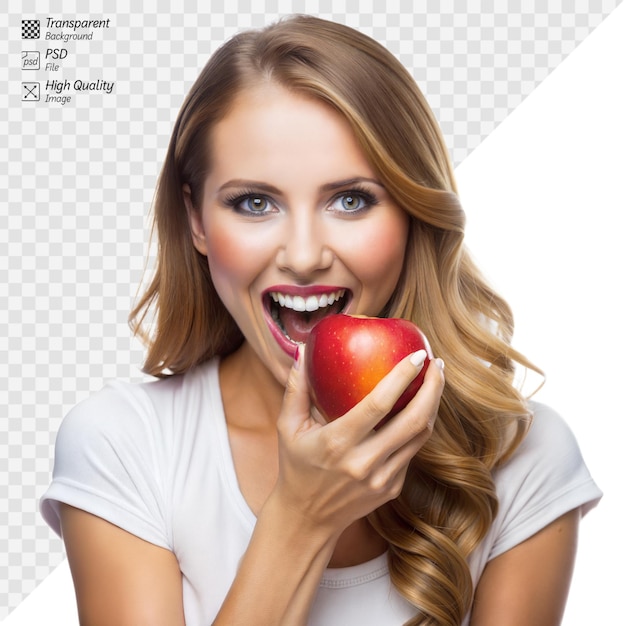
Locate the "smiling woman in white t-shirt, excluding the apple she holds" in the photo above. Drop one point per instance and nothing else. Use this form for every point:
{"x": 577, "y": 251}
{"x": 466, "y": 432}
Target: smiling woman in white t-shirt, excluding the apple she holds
{"x": 305, "y": 166}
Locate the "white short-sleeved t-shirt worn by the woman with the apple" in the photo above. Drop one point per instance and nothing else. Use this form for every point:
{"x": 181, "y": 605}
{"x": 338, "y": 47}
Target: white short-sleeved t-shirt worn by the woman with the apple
{"x": 154, "y": 459}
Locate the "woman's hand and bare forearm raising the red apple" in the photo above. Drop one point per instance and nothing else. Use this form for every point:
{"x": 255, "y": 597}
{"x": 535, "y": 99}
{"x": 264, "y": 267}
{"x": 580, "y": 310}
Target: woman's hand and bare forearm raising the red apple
{"x": 330, "y": 475}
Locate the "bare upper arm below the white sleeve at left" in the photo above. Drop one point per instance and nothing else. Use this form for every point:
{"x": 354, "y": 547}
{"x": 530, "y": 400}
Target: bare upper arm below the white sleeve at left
{"x": 118, "y": 578}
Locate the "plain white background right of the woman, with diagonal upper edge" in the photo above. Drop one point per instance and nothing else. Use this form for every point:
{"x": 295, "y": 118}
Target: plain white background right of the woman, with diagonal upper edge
{"x": 546, "y": 205}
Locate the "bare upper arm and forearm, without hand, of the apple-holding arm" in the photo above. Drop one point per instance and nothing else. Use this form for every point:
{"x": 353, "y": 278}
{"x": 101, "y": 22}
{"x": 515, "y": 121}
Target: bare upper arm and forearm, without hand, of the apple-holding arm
{"x": 122, "y": 580}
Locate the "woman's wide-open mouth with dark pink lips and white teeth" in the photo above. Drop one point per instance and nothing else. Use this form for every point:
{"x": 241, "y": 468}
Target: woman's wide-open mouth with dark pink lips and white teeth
{"x": 295, "y": 315}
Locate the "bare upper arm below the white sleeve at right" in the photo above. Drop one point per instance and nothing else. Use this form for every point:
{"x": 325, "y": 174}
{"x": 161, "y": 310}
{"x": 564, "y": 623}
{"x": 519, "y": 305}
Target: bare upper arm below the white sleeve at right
{"x": 529, "y": 583}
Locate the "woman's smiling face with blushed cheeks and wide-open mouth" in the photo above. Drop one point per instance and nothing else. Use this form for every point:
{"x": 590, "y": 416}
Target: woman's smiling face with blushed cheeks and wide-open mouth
{"x": 293, "y": 222}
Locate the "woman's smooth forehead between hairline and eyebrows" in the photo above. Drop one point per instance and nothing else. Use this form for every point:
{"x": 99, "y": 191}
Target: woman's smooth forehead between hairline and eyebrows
{"x": 270, "y": 131}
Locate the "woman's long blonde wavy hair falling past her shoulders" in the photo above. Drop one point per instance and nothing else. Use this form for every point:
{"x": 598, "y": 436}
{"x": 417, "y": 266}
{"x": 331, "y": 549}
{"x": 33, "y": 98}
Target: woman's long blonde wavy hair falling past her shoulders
{"x": 449, "y": 499}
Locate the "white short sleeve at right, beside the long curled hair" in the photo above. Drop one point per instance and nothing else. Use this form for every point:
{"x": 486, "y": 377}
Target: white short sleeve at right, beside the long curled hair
{"x": 545, "y": 478}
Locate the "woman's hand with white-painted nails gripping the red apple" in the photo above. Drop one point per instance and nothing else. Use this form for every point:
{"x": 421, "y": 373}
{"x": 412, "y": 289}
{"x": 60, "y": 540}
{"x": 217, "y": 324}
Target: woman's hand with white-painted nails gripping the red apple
{"x": 333, "y": 474}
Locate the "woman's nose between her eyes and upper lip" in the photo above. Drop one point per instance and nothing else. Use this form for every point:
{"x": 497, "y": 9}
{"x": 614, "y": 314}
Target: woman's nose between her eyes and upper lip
{"x": 305, "y": 248}
